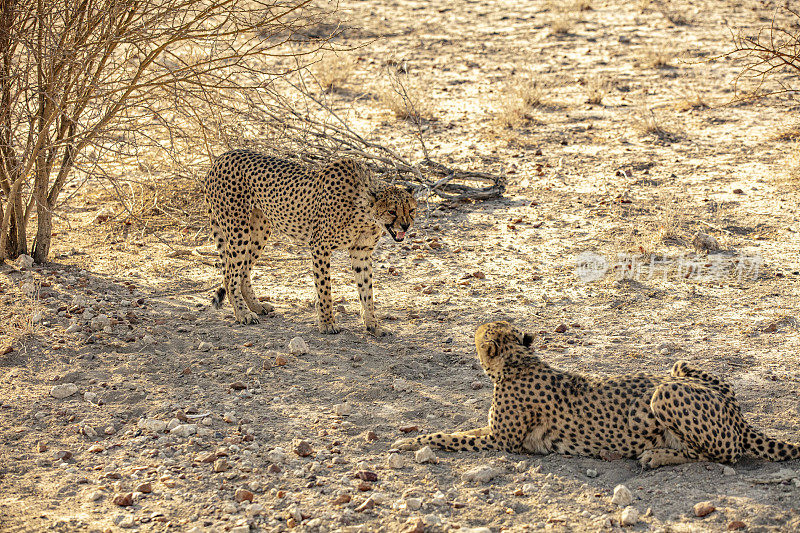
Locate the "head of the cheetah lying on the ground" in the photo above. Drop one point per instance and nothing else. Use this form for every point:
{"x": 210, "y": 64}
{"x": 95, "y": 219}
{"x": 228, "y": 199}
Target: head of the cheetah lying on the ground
{"x": 501, "y": 346}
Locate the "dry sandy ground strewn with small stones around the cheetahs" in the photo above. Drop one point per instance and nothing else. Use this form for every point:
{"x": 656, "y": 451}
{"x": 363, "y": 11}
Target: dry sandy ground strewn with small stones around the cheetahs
{"x": 594, "y": 232}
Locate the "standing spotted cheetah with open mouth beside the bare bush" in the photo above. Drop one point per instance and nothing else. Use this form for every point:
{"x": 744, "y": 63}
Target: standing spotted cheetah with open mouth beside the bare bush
{"x": 250, "y": 195}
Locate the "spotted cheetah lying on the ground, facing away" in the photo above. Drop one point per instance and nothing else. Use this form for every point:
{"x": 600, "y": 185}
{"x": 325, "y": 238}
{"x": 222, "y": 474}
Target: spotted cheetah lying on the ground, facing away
{"x": 690, "y": 415}
